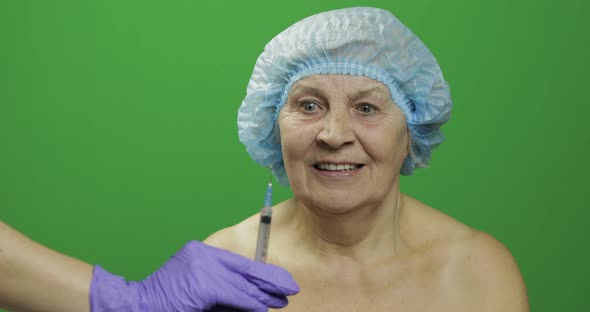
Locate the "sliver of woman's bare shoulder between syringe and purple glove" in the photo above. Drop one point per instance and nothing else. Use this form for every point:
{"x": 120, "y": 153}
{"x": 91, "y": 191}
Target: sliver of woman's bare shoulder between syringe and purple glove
{"x": 239, "y": 238}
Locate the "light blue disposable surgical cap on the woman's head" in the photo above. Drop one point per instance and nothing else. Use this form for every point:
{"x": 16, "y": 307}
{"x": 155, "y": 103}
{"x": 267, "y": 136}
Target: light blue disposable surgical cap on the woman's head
{"x": 357, "y": 41}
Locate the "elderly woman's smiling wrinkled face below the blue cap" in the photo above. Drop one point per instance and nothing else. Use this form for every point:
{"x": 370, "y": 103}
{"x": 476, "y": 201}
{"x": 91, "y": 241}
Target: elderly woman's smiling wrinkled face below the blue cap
{"x": 343, "y": 141}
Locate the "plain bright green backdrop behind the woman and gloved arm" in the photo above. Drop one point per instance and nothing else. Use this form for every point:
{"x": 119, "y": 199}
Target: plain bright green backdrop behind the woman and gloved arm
{"x": 118, "y": 138}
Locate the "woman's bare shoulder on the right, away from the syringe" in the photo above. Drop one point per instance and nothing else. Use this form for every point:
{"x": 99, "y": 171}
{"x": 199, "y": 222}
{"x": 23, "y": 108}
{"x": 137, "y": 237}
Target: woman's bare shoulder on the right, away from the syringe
{"x": 480, "y": 271}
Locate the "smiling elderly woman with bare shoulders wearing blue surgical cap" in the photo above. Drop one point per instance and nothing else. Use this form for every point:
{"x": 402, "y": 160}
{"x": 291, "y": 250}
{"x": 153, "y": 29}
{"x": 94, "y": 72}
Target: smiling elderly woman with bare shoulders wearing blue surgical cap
{"x": 340, "y": 104}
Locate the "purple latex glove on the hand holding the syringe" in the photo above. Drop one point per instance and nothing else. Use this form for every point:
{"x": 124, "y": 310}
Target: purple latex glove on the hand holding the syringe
{"x": 198, "y": 278}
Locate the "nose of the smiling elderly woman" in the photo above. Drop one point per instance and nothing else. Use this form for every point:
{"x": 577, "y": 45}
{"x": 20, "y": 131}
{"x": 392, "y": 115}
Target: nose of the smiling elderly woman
{"x": 336, "y": 130}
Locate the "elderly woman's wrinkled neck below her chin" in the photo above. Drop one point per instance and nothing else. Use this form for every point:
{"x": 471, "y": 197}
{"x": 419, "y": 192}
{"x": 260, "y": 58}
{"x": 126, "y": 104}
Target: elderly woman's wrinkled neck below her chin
{"x": 361, "y": 234}
